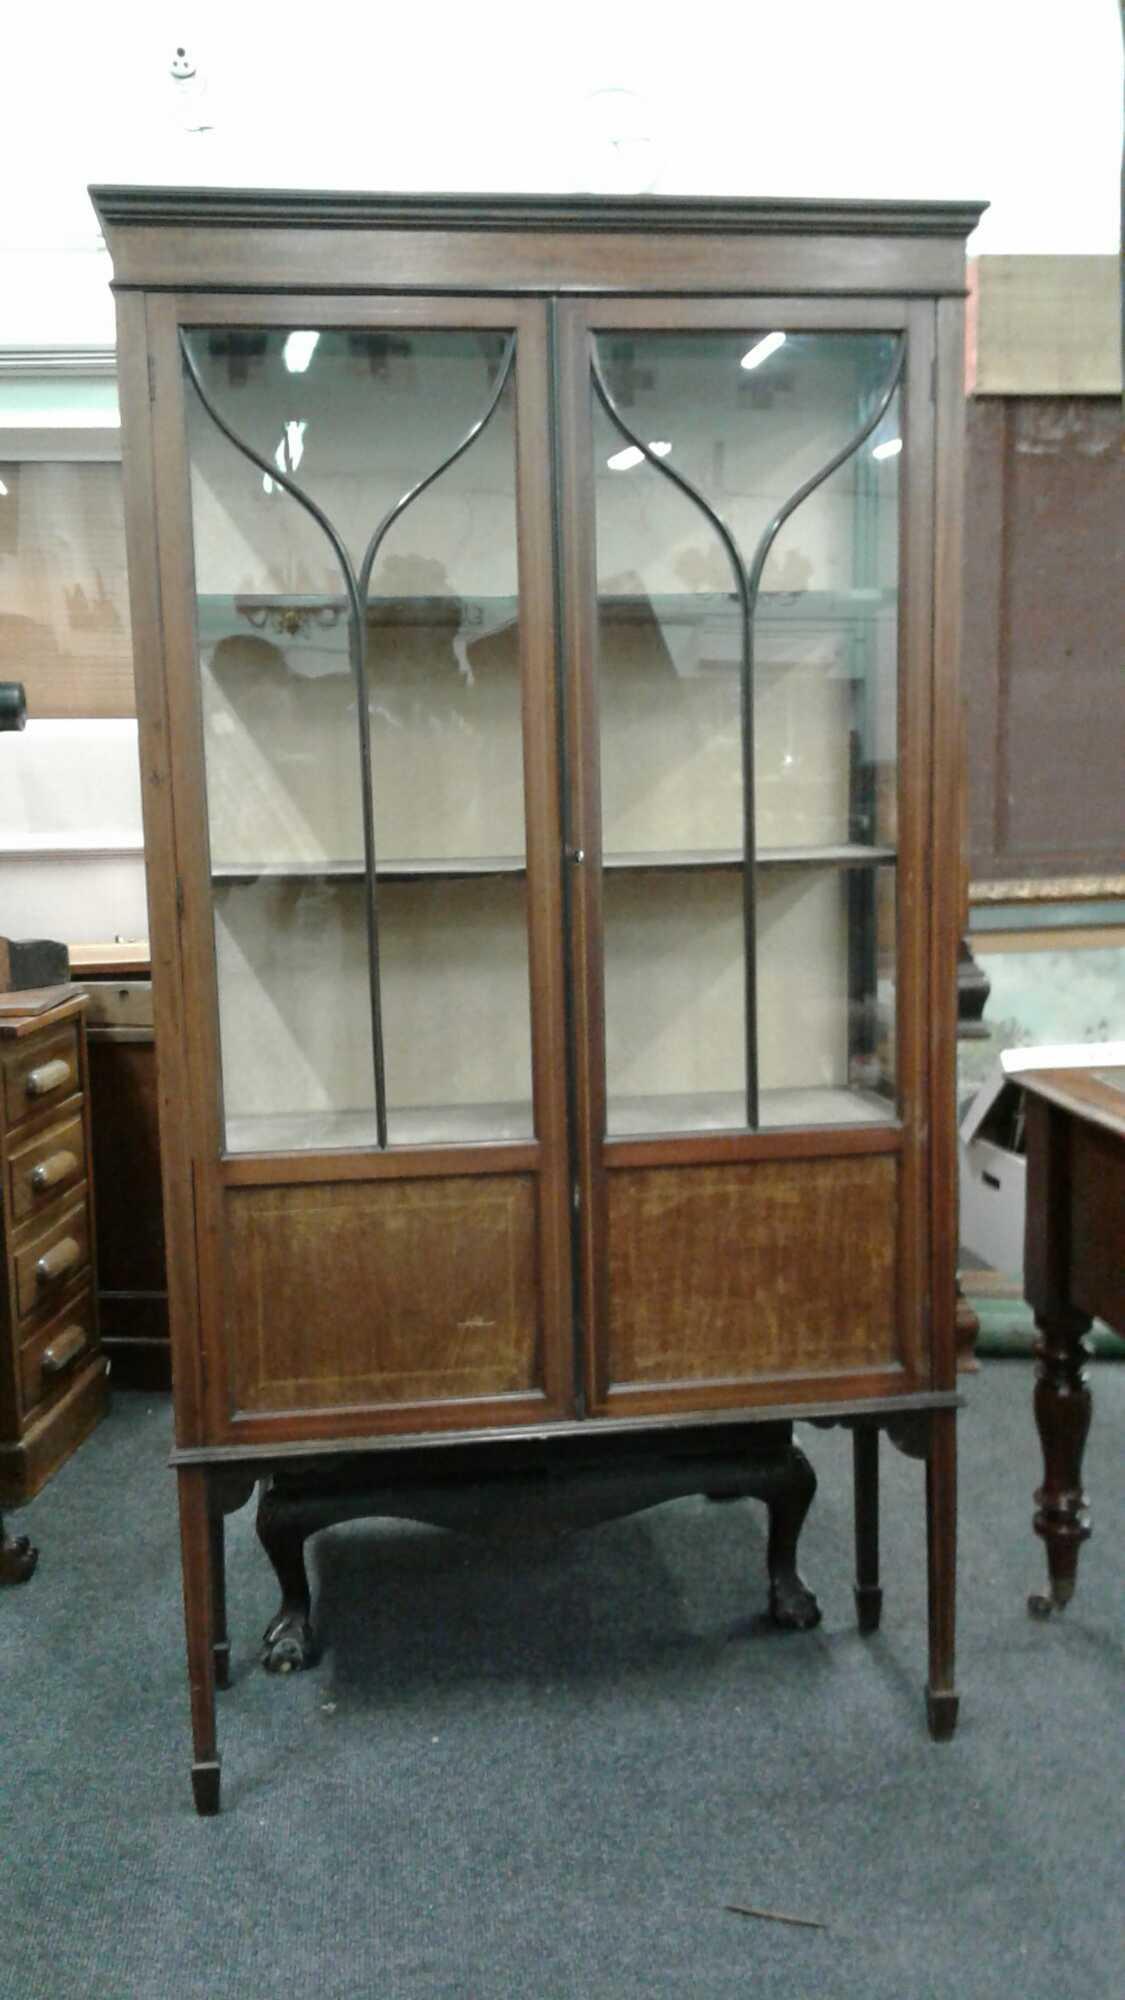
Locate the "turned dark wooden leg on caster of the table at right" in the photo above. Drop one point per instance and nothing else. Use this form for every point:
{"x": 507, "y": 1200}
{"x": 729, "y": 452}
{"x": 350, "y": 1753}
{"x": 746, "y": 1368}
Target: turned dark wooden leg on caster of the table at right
{"x": 1062, "y": 1415}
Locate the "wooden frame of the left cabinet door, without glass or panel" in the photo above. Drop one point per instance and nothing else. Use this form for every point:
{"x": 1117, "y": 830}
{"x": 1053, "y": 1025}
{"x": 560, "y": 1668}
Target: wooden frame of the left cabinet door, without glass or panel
{"x": 199, "y": 1171}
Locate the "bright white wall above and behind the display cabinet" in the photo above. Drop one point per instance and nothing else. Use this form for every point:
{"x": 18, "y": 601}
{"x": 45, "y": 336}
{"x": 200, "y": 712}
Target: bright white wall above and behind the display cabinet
{"x": 1014, "y": 101}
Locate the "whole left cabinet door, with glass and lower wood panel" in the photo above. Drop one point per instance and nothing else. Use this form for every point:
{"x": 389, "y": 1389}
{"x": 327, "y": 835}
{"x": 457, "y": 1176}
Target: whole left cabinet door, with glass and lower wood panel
{"x": 365, "y": 665}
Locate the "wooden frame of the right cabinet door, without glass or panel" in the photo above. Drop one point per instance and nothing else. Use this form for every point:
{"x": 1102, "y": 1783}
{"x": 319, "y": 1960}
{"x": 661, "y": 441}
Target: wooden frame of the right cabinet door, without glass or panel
{"x": 924, "y": 771}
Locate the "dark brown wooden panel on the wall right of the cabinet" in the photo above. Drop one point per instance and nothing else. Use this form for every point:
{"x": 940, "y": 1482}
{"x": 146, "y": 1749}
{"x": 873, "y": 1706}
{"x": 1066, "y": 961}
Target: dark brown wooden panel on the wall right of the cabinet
{"x": 1044, "y": 665}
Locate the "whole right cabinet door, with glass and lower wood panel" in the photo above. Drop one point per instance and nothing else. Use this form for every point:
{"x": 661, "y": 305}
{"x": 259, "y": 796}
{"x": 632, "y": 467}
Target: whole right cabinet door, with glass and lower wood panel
{"x": 750, "y": 723}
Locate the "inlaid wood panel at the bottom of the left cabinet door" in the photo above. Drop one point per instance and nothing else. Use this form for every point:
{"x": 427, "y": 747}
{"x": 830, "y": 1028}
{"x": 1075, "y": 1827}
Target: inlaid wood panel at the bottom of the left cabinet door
{"x": 383, "y": 1293}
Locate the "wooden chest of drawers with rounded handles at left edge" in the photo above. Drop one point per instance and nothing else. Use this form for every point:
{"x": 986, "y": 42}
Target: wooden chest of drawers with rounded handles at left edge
{"x": 53, "y": 1373}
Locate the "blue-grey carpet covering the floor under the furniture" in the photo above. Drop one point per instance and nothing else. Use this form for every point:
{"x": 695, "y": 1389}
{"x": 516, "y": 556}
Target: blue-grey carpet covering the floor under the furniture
{"x": 547, "y": 1775}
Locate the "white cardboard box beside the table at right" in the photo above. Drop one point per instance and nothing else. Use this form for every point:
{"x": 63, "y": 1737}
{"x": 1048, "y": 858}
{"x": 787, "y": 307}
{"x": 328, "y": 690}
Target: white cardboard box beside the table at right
{"x": 994, "y": 1167}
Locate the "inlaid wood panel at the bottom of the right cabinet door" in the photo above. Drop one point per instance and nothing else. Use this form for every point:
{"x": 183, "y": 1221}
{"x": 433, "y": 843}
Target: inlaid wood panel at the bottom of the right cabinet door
{"x": 740, "y": 1273}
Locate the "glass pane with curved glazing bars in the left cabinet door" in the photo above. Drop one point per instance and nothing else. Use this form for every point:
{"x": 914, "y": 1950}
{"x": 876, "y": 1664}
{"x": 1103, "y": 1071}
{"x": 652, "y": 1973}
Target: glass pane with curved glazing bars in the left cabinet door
{"x": 405, "y": 589}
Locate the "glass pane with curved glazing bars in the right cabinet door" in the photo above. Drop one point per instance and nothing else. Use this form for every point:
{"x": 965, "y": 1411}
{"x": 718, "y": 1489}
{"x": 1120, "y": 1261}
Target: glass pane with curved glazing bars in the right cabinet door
{"x": 730, "y": 647}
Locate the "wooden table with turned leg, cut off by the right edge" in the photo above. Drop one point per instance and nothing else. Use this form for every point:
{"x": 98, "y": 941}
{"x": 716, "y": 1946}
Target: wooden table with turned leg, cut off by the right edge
{"x": 1074, "y": 1275}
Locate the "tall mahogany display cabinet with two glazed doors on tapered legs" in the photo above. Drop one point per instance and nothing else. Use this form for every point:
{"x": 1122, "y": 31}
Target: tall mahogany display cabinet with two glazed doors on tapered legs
{"x": 545, "y": 623}
